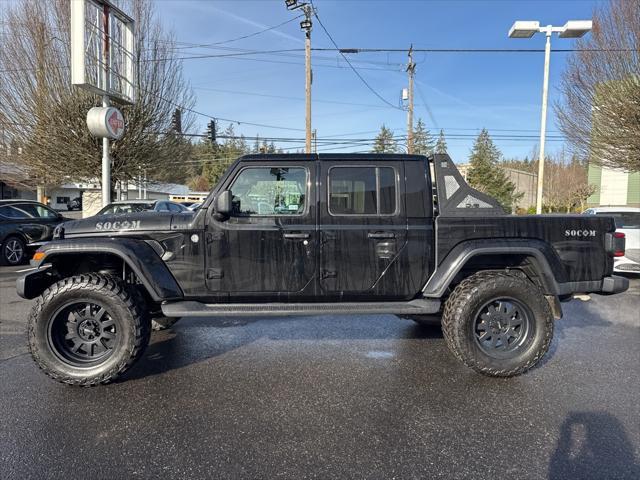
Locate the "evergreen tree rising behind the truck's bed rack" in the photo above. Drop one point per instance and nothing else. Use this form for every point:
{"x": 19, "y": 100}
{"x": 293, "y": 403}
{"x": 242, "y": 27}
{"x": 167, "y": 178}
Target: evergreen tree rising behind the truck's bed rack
{"x": 485, "y": 173}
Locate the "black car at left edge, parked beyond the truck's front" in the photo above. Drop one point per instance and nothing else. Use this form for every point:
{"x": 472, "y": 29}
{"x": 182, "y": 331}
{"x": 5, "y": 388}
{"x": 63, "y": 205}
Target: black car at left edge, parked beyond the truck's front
{"x": 24, "y": 222}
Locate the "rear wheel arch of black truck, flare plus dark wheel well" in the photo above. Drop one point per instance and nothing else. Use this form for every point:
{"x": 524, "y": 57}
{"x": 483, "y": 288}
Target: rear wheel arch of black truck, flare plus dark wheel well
{"x": 534, "y": 258}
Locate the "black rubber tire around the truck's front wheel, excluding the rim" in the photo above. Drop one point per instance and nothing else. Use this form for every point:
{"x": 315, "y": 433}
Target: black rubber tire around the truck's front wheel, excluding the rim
{"x": 132, "y": 322}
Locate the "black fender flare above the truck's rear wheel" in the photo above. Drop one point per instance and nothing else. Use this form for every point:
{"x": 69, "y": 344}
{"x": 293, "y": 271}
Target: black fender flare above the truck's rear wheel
{"x": 545, "y": 260}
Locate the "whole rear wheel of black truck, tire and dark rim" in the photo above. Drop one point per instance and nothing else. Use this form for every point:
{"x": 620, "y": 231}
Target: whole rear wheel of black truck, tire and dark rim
{"x": 498, "y": 324}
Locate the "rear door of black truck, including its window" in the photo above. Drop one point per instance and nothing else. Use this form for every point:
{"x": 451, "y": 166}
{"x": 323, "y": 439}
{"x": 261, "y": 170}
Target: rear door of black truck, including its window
{"x": 363, "y": 228}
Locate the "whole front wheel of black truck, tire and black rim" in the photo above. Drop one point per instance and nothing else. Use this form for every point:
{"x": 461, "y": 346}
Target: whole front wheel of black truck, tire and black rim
{"x": 87, "y": 330}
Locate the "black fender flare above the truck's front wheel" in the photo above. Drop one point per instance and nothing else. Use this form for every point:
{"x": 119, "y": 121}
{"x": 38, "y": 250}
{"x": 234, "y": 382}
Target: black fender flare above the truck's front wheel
{"x": 139, "y": 256}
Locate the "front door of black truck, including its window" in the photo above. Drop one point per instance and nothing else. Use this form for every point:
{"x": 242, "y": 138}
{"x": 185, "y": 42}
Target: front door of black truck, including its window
{"x": 267, "y": 247}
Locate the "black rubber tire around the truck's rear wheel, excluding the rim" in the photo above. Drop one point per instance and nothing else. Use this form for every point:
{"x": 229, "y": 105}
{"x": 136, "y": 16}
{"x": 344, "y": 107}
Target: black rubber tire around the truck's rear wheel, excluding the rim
{"x": 462, "y": 309}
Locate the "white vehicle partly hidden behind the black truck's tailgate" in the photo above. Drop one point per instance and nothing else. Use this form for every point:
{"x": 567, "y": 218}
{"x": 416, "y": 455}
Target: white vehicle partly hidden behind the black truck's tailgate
{"x": 628, "y": 222}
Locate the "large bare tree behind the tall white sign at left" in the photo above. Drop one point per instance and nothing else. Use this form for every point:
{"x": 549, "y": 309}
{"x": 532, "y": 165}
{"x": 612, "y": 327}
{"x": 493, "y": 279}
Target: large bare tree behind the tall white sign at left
{"x": 41, "y": 111}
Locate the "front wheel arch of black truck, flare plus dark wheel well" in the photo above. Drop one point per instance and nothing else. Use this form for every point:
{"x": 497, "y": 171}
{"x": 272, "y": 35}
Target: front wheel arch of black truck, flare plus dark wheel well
{"x": 70, "y": 257}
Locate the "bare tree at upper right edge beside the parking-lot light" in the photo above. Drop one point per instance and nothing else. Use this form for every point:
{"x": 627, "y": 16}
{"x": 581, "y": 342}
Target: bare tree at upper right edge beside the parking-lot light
{"x": 601, "y": 89}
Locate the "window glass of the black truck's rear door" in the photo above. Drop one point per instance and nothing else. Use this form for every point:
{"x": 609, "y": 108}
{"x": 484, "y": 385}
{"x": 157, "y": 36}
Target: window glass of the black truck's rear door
{"x": 362, "y": 191}
